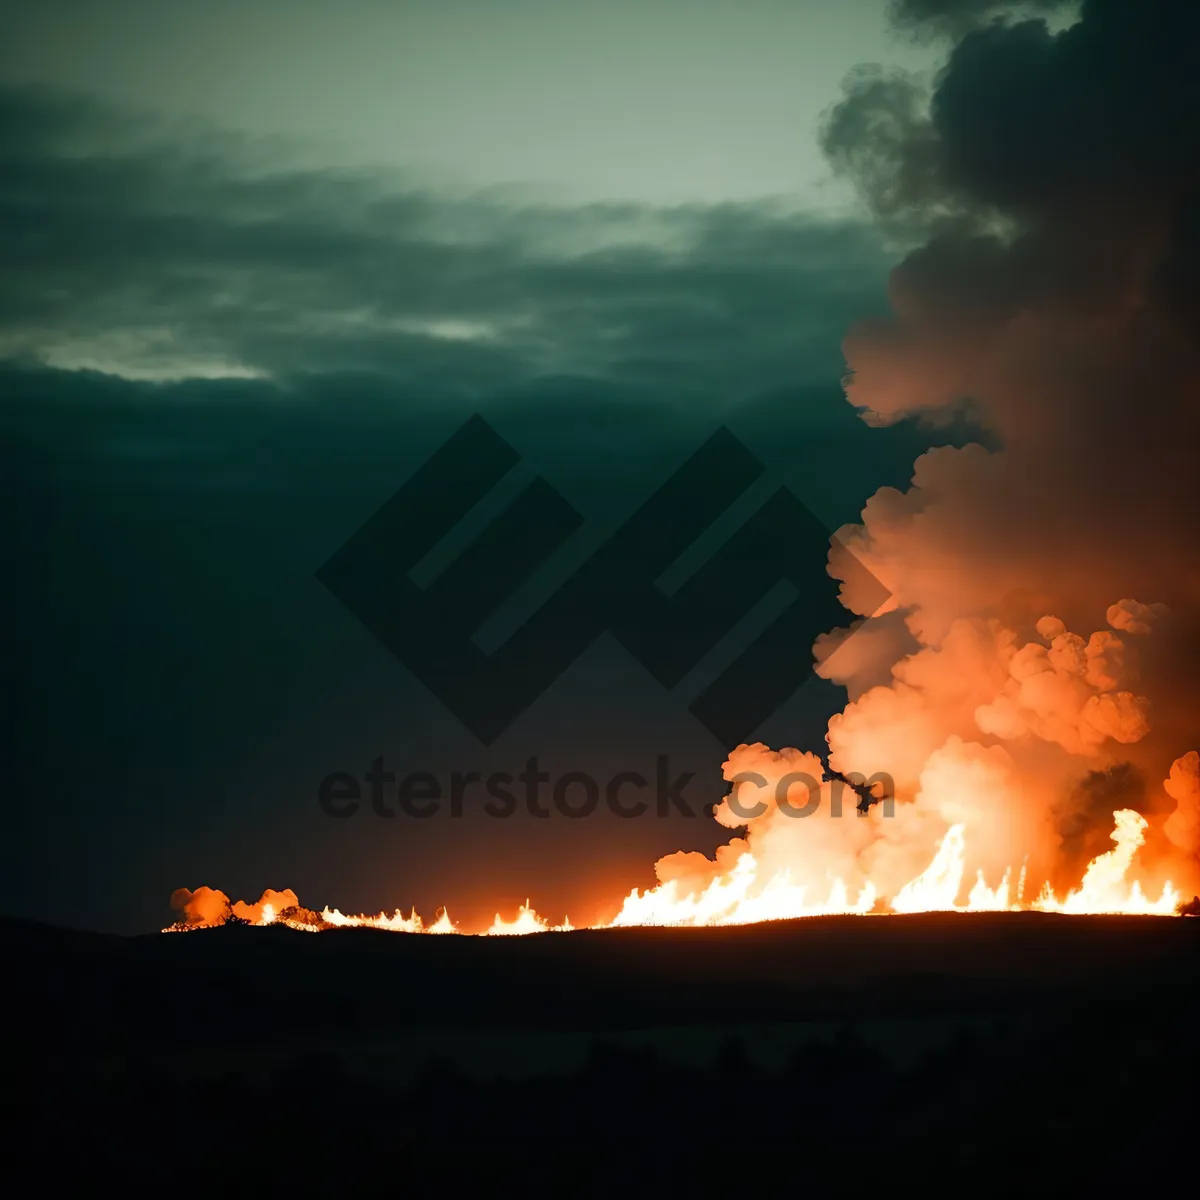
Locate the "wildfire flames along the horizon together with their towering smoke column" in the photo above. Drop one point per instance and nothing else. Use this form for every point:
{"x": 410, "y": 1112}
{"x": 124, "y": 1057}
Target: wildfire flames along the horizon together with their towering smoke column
{"x": 1004, "y": 731}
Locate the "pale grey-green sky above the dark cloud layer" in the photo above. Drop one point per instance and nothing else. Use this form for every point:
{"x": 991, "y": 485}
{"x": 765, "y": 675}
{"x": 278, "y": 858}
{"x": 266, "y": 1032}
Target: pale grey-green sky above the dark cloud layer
{"x": 646, "y": 100}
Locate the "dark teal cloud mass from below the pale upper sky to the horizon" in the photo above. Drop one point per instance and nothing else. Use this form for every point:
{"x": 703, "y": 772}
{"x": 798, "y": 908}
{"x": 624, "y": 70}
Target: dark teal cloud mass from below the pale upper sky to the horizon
{"x": 184, "y": 682}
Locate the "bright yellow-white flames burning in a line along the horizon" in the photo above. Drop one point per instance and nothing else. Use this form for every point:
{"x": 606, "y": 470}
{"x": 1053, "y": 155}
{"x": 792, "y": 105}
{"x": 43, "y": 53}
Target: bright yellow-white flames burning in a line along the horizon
{"x": 742, "y": 897}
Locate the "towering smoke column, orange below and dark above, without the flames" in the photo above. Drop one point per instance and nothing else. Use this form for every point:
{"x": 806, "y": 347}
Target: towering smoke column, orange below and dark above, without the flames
{"x": 1034, "y": 671}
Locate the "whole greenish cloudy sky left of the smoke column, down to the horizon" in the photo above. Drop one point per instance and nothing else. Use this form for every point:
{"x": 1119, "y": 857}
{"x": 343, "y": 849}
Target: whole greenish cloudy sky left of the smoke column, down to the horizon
{"x": 255, "y": 269}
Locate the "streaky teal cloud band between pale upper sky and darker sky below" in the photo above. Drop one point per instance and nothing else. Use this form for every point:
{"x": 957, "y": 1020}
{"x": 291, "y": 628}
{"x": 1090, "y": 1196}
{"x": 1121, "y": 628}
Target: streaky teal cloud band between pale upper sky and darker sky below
{"x": 125, "y": 250}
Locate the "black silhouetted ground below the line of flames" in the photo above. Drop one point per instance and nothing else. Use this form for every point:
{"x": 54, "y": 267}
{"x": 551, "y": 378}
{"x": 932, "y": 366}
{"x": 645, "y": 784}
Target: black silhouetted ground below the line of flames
{"x": 971, "y": 1054}
